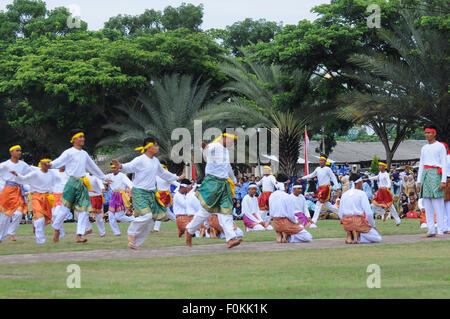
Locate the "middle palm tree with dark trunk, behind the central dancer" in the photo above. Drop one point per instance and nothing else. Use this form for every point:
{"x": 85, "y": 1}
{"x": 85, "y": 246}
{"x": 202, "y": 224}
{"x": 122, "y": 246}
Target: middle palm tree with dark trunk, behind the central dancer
{"x": 250, "y": 97}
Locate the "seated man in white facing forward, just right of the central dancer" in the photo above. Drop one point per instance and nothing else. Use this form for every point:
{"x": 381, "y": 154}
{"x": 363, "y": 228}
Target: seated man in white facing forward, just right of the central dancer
{"x": 252, "y": 219}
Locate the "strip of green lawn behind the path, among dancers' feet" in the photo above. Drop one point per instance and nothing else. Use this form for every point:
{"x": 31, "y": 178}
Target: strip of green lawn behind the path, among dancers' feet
{"x": 26, "y": 243}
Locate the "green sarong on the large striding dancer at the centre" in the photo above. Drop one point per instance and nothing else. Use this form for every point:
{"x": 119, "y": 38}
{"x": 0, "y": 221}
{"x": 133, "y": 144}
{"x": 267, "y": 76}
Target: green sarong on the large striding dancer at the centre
{"x": 215, "y": 195}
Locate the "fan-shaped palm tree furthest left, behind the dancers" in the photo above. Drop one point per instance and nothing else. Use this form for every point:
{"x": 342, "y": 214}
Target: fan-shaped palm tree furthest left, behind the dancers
{"x": 172, "y": 103}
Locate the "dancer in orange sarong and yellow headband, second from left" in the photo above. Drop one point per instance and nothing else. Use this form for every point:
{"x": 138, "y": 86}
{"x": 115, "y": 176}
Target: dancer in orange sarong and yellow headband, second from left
{"x": 40, "y": 181}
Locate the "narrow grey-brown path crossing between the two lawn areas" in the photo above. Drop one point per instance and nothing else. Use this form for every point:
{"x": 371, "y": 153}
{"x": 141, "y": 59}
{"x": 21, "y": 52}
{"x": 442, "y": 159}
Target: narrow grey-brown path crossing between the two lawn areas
{"x": 200, "y": 250}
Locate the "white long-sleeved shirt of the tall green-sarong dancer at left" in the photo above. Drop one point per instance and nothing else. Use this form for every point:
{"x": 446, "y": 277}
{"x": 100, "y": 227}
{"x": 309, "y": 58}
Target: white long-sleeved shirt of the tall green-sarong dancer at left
{"x": 77, "y": 162}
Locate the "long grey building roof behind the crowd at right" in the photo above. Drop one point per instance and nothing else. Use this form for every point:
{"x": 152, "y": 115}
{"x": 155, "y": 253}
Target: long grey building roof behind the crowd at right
{"x": 356, "y": 152}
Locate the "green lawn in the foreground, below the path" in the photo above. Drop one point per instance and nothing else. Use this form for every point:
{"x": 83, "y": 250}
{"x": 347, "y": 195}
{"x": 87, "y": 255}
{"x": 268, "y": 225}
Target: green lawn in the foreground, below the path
{"x": 417, "y": 270}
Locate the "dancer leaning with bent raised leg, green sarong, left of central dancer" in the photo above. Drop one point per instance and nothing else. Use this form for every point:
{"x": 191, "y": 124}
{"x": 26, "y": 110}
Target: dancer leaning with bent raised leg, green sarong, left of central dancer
{"x": 146, "y": 206}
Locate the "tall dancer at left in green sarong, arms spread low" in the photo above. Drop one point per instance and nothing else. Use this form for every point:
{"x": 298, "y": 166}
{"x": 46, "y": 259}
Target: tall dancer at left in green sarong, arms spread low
{"x": 76, "y": 192}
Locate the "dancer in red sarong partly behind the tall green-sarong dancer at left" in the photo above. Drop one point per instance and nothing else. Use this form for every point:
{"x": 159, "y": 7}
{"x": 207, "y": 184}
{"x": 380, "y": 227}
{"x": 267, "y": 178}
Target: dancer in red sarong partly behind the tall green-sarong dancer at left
{"x": 96, "y": 198}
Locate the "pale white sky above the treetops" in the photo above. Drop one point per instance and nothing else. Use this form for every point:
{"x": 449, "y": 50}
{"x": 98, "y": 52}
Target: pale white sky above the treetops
{"x": 216, "y": 13}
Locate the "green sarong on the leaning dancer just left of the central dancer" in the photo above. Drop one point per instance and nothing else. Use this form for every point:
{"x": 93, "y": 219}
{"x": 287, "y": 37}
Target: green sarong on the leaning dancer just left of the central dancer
{"x": 145, "y": 202}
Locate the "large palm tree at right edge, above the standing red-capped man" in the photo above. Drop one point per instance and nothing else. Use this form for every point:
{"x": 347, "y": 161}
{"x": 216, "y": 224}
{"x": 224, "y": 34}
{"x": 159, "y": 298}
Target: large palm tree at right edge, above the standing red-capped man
{"x": 401, "y": 92}
